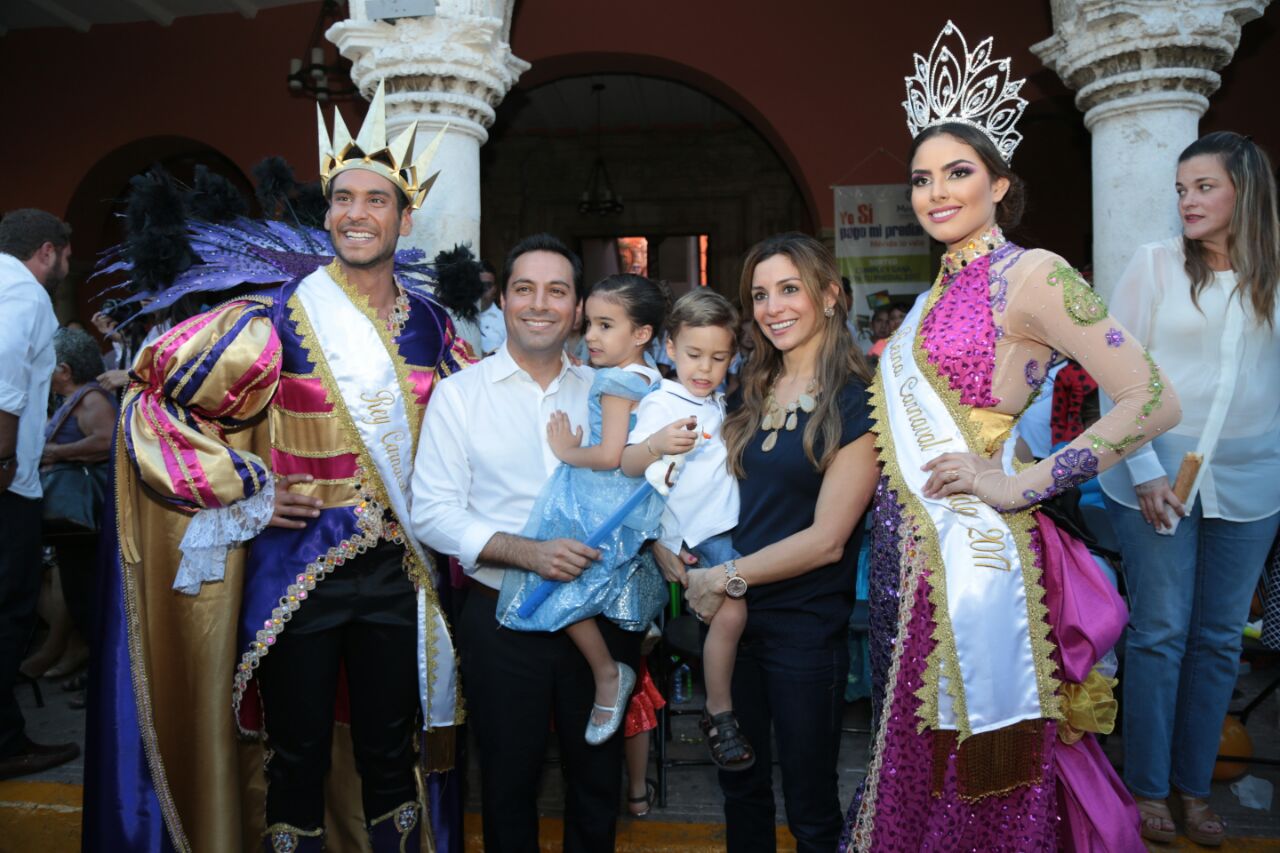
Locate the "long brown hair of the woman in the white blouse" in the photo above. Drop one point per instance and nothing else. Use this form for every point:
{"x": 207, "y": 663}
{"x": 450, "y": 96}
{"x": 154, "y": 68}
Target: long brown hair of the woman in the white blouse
{"x": 1254, "y": 240}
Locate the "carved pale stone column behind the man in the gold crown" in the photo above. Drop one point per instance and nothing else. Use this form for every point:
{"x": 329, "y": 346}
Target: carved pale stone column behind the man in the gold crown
{"x": 449, "y": 70}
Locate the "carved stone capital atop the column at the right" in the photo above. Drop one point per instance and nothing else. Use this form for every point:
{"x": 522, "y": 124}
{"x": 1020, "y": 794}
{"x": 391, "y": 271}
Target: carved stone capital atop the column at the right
{"x": 1137, "y": 51}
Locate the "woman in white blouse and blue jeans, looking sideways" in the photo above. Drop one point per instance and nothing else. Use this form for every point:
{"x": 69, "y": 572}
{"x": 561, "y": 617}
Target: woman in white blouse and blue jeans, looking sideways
{"x": 1205, "y": 307}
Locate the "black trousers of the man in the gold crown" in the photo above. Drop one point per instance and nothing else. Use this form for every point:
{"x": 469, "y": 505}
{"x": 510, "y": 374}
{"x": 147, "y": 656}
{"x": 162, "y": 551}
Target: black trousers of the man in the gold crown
{"x": 365, "y": 615}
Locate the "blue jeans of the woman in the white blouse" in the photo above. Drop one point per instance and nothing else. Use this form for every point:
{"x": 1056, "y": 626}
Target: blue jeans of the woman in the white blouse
{"x": 1188, "y": 603}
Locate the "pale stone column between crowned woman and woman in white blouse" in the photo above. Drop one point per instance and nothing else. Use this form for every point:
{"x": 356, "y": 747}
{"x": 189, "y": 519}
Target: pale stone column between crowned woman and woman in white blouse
{"x": 1144, "y": 74}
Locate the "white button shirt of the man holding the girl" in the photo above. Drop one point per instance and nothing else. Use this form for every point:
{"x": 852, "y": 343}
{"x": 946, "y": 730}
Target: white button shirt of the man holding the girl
{"x": 483, "y": 457}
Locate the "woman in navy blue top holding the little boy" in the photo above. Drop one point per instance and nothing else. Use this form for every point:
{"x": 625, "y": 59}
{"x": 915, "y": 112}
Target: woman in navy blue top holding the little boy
{"x": 799, "y": 443}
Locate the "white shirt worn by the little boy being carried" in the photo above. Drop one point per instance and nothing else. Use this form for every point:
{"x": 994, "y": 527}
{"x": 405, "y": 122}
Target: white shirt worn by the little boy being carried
{"x": 705, "y": 500}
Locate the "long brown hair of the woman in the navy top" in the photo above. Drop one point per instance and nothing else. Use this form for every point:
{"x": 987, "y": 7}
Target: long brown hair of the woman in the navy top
{"x": 838, "y": 357}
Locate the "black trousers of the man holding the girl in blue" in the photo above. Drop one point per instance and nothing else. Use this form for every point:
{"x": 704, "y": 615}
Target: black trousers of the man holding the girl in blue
{"x": 515, "y": 685}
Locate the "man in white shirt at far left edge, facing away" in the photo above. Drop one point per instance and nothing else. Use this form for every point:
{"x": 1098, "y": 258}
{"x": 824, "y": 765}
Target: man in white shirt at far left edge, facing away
{"x": 35, "y": 253}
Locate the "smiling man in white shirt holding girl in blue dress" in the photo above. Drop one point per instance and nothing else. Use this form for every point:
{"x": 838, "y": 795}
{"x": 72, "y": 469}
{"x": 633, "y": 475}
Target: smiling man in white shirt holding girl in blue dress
{"x": 482, "y": 462}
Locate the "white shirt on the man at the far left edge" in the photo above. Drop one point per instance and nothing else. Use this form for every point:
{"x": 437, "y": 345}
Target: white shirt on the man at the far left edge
{"x": 28, "y": 366}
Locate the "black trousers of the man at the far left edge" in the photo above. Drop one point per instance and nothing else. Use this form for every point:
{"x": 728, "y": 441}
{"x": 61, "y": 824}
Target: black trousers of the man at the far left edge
{"x": 20, "y": 590}
